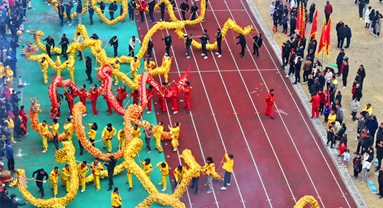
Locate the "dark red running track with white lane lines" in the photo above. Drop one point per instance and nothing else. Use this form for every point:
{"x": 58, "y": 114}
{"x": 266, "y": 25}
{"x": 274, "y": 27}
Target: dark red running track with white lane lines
{"x": 276, "y": 161}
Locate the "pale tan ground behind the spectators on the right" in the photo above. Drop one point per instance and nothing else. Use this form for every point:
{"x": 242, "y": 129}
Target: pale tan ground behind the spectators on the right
{"x": 363, "y": 50}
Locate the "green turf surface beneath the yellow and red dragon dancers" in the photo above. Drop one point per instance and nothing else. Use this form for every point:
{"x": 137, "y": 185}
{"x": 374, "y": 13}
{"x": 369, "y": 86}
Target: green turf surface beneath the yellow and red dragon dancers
{"x": 28, "y": 153}
